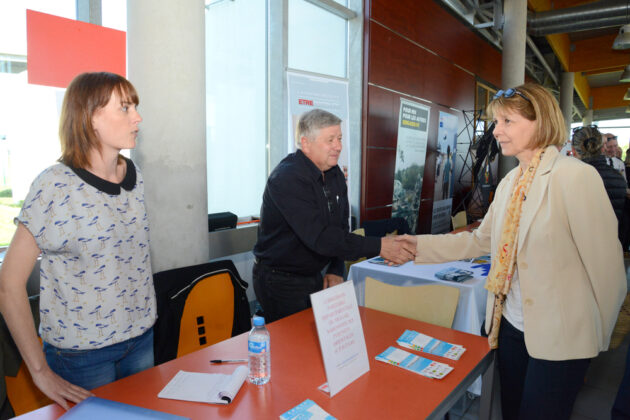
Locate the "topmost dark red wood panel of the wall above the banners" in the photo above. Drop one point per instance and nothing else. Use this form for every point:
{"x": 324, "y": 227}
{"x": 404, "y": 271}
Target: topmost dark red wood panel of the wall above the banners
{"x": 426, "y": 23}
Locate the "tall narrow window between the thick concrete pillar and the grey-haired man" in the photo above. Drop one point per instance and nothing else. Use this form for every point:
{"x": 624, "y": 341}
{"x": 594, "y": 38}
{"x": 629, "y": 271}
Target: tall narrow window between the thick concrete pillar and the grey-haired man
{"x": 236, "y": 105}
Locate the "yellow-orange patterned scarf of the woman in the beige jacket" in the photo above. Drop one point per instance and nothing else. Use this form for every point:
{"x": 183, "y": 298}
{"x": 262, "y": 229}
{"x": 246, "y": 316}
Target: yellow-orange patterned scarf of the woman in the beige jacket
{"x": 502, "y": 271}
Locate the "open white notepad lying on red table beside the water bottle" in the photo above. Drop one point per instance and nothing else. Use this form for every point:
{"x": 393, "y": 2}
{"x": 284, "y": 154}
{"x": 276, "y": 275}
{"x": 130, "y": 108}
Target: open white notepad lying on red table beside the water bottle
{"x": 212, "y": 388}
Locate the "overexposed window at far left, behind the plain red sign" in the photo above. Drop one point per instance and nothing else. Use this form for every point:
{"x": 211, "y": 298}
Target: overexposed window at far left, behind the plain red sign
{"x": 29, "y": 114}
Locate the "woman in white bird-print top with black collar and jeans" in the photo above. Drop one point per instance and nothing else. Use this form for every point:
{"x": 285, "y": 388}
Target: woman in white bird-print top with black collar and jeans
{"x": 87, "y": 218}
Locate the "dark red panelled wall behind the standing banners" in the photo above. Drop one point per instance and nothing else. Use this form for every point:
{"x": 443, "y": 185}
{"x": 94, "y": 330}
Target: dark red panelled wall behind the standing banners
{"x": 416, "y": 49}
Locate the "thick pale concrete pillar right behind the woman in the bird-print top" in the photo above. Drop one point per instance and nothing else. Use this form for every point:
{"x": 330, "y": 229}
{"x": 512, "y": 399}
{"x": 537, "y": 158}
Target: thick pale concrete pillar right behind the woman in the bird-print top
{"x": 166, "y": 50}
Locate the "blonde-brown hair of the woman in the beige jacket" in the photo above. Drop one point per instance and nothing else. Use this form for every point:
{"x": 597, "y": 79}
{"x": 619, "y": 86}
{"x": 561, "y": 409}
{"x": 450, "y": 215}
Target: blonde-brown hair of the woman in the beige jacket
{"x": 535, "y": 104}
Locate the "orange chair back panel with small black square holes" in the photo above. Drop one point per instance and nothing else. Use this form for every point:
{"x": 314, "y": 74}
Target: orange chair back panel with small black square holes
{"x": 208, "y": 314}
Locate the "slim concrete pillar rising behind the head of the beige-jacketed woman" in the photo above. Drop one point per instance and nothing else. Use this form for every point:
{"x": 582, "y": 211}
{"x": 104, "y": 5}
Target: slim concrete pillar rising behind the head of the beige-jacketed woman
{"x": 513, "y": 59}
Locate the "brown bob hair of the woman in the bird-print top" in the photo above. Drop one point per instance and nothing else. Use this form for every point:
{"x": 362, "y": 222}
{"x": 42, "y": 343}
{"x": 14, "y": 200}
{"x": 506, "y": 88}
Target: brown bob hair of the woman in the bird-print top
{"x": 87, "y": 93}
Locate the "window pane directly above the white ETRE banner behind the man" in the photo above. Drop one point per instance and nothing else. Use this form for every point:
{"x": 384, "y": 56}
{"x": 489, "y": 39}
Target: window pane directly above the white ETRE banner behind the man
{"x": 317, "y": 39}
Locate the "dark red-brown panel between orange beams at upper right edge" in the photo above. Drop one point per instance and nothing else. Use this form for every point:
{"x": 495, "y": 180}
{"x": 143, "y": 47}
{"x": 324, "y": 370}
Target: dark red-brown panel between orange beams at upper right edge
{"x": 595, "y": 54}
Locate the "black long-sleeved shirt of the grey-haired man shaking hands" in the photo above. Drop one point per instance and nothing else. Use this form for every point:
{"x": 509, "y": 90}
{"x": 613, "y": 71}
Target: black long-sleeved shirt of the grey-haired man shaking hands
{"x": 304, "y": 220}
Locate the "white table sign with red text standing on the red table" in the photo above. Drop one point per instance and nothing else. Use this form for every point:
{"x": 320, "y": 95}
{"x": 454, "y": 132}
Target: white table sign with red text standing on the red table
{"x": 340, "y": 335}
